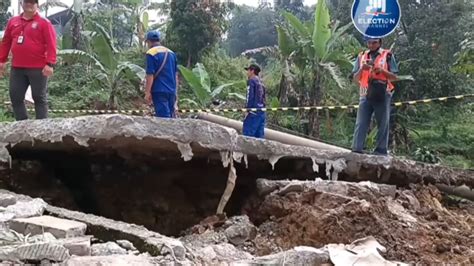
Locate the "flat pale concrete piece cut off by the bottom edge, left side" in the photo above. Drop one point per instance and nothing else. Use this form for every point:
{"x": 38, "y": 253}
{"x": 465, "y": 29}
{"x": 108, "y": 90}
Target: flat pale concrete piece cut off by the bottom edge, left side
{"x": 116, "y": 260}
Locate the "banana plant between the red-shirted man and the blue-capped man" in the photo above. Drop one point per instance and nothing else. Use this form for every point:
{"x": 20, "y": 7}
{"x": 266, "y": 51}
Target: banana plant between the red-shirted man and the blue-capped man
{"x": 110, "y": 71}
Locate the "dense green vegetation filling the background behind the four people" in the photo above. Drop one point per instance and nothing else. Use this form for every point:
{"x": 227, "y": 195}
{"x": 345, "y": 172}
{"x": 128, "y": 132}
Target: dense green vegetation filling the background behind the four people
{"x": 304, "y": 62}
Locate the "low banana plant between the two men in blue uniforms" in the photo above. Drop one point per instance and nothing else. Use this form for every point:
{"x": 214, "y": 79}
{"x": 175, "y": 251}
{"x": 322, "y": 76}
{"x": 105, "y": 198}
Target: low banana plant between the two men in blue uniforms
{"x": 199, "y": 81}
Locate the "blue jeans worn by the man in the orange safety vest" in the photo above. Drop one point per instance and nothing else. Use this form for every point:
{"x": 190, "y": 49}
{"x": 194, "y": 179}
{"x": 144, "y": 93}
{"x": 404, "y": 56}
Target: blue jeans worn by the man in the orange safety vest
{"x": 381, "y": 111}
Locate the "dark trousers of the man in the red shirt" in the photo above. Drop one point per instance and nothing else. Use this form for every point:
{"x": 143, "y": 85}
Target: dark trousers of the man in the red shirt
{"x": 20, "y": 79}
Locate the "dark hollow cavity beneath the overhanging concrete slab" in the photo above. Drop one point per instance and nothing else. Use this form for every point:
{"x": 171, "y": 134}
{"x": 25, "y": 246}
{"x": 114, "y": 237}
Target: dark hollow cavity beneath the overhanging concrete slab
{"x": 145, "y": 182}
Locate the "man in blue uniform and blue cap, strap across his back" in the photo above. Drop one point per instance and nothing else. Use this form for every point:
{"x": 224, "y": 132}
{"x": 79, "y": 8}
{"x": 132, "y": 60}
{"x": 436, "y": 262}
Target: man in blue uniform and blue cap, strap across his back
{"x": 161, "y": 77}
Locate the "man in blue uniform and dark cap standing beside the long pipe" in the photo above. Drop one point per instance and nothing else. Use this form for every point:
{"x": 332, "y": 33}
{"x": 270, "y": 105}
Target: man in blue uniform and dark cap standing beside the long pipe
{"x": 254, "y": 123}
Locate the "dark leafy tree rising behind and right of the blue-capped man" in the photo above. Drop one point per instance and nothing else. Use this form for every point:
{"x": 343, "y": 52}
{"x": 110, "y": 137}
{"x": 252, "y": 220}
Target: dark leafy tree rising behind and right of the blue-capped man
{"x": 195, "y": 25}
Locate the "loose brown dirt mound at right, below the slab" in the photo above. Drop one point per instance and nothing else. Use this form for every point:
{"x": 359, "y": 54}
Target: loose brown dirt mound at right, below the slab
{"x": 414, "y": 226}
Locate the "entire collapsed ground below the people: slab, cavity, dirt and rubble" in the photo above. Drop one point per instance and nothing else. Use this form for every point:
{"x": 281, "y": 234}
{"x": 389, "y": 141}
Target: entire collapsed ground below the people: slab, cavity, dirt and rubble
{"x": 118, "y": 190}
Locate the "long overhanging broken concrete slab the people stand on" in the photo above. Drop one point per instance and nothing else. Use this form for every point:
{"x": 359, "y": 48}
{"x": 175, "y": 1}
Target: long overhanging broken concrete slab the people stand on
{"x": 137, "y": 135}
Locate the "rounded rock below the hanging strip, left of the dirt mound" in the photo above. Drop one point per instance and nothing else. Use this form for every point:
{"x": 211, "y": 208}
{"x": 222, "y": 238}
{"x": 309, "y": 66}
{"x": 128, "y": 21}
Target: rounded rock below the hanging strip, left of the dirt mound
{"x": 241, "y": 231}
